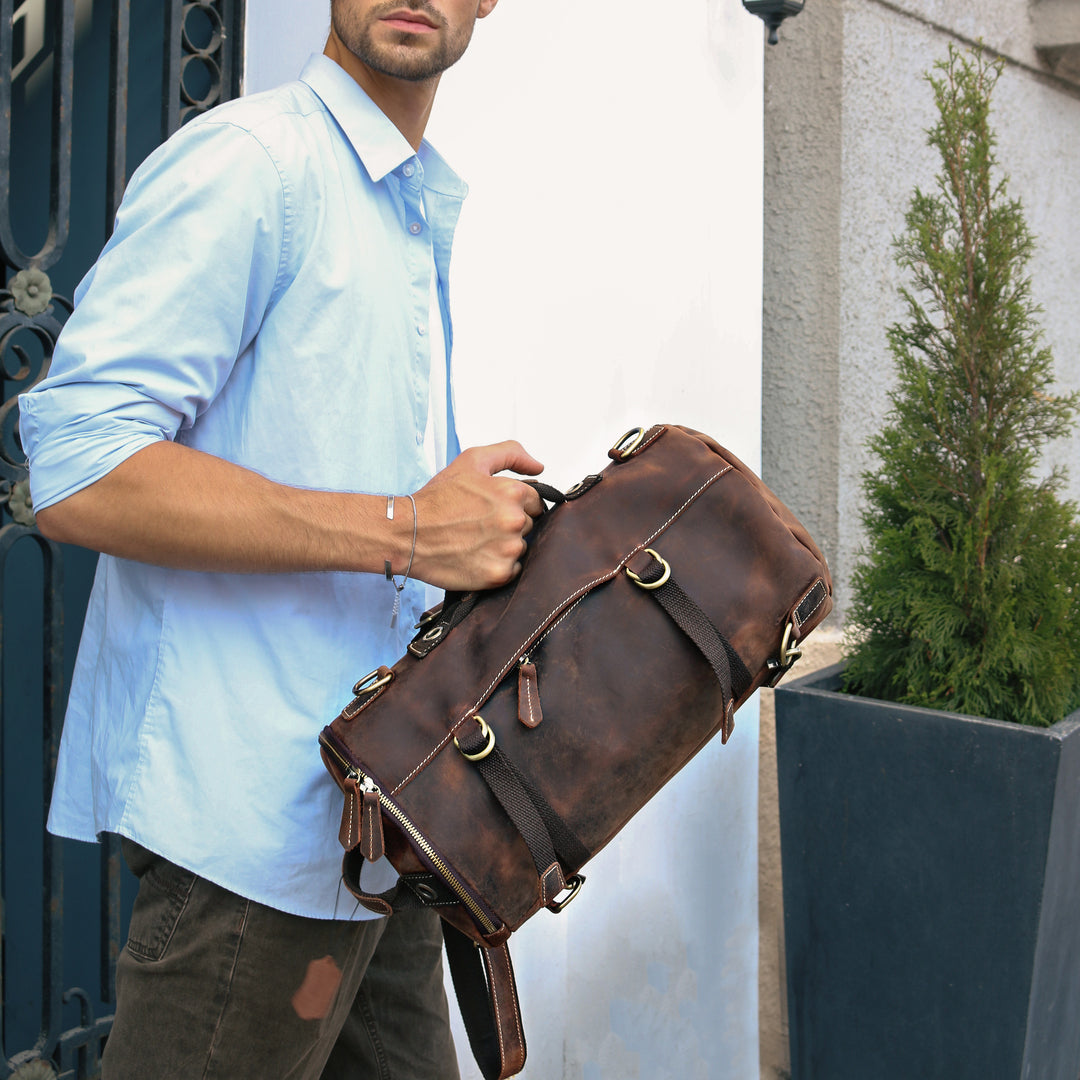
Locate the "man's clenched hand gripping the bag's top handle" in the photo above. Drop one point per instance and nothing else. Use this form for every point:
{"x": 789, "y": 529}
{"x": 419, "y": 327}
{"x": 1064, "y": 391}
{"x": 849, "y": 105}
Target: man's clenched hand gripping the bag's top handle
{"x": 471, "y": 524}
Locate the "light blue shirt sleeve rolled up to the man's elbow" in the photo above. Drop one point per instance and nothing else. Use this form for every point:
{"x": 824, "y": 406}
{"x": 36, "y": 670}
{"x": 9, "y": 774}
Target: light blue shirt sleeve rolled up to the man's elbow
{"x": 177, "y": 296}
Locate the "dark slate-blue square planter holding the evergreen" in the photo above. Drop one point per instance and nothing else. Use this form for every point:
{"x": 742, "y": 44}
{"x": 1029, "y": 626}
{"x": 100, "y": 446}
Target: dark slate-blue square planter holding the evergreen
{"x": 931, "y": 869}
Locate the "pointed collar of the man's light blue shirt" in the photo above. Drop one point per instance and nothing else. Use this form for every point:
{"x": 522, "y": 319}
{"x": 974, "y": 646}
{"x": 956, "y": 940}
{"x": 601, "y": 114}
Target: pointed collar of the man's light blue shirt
{"x": 380, "y": 145}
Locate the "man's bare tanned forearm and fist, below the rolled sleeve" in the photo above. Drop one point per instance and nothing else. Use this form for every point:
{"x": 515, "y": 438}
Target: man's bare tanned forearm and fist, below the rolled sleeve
{"x": 173, "y": 506}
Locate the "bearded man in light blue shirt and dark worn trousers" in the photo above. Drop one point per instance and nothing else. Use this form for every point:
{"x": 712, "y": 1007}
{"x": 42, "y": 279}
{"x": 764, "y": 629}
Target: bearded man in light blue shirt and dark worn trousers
{"x": 265, "y": 337}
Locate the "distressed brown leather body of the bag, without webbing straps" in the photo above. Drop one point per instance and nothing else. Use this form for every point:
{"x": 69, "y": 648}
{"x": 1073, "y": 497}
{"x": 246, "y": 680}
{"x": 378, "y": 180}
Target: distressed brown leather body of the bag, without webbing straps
{"x": 628, "y": 699}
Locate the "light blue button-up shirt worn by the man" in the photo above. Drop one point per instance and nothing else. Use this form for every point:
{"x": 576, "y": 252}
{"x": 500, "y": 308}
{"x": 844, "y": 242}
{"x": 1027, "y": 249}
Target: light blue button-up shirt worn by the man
{"x": 266, "y": 299}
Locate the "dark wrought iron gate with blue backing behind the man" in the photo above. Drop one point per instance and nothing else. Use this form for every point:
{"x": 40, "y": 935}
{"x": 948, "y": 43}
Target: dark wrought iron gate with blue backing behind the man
{"x": 75, "y": 78}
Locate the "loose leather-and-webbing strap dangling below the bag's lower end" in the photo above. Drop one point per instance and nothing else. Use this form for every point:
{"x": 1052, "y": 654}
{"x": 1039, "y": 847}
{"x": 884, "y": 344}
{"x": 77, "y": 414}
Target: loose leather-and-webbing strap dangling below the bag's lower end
{"x": 488, "y": 995}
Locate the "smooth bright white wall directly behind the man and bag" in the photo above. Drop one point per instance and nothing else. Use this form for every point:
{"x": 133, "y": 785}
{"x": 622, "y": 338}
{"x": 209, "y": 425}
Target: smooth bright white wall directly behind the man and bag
{"x": 607, "y": 275}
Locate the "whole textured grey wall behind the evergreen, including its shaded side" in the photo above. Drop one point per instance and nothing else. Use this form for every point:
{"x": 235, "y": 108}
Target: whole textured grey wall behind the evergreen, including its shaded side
{"x": 846, "y": 112}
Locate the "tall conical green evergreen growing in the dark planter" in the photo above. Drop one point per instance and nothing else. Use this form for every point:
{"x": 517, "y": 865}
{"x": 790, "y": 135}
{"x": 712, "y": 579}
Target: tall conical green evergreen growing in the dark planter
{"x": 969, "y": 597}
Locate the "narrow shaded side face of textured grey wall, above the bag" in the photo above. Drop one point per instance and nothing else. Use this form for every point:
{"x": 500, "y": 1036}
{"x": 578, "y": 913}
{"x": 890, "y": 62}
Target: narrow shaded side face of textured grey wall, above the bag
{"x": 801, "y": 417}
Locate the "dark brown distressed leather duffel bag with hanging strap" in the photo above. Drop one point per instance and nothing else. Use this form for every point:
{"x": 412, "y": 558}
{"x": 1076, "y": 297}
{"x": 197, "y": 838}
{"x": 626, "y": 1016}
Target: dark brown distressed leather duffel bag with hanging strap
{"x": 528, "y": 725}
